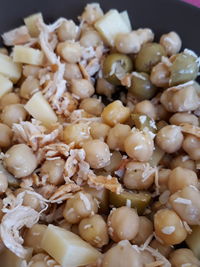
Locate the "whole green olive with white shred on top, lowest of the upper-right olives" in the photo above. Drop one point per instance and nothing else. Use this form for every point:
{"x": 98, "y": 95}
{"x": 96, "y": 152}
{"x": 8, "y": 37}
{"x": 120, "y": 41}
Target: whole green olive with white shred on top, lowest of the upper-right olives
{"x": 141, "y": 86}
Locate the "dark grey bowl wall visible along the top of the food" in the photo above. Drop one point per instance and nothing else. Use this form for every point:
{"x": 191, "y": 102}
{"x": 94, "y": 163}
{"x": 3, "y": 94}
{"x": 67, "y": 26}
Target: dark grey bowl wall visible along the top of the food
{"x": 161, "y": 16}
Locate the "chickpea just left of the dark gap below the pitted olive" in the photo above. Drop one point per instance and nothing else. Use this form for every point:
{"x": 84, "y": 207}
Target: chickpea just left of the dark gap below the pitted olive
{"x": 82, "y": 88}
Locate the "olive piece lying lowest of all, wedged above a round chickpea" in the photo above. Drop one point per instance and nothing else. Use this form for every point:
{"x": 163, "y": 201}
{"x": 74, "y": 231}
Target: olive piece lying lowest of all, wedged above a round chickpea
{"x": 138, "y": 200}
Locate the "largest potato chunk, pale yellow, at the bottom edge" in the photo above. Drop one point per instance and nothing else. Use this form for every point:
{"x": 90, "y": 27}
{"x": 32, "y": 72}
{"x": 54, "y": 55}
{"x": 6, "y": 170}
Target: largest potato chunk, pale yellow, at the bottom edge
{"x": 67, "y": 248}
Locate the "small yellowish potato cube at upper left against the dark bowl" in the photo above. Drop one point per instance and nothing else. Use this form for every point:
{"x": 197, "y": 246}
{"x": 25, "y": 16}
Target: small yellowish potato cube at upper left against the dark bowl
{"x": 31, "y": 24}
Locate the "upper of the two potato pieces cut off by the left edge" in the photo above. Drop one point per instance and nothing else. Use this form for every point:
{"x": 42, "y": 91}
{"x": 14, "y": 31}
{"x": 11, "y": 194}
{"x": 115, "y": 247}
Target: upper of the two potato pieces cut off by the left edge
{"x": 9, "y": 68}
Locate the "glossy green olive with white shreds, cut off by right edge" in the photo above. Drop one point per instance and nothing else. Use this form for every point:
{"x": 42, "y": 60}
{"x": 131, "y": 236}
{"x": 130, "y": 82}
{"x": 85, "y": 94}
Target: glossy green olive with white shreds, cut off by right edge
{"x": 184, "y": 68}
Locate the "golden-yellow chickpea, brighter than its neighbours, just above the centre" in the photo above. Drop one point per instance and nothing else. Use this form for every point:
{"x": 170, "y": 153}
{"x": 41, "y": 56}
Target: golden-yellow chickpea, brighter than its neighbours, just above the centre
{"x": 115, "y": 113}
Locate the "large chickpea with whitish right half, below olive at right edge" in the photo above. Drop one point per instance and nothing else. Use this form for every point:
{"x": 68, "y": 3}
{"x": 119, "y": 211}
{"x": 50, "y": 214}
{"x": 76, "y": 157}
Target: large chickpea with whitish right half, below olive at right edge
{"x": 175, "y": 100}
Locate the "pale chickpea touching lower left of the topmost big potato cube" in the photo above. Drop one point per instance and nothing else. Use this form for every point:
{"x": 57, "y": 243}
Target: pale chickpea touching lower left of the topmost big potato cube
{"x": 90, "y": 38}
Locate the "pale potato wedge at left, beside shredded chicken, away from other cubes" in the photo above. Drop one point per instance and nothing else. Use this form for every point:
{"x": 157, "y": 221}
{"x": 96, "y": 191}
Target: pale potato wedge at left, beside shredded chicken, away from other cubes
{"x": 40, "y": 109}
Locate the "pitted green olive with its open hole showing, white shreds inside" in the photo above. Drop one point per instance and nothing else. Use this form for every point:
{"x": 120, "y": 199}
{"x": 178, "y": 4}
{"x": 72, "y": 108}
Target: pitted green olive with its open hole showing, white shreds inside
{"x": 115, "y": 66}
